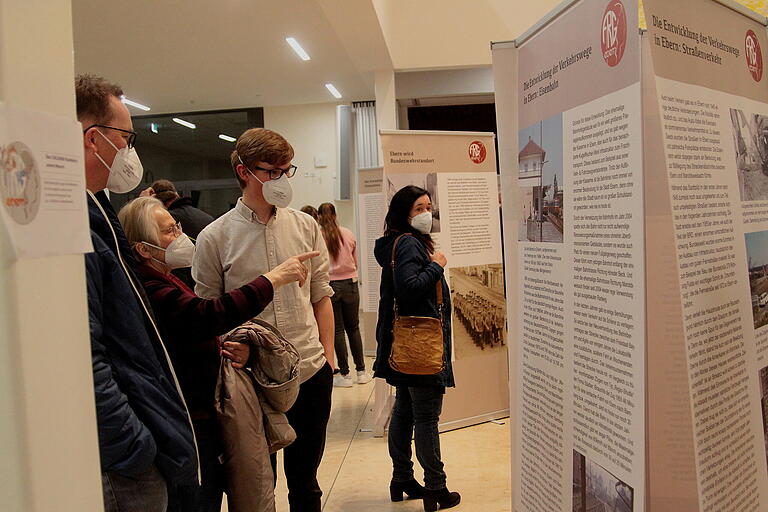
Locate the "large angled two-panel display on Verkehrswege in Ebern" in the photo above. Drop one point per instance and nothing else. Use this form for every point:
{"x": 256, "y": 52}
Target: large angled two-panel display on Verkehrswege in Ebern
{"x": 635, "y": 194}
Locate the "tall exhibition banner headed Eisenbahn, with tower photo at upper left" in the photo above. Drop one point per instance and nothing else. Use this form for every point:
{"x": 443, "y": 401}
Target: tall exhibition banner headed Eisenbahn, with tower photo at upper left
{"x": 575, "y": 235}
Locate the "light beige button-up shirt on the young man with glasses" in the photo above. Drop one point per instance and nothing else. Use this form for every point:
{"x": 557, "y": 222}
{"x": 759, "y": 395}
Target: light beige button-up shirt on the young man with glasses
{"x": 237, "y": 248}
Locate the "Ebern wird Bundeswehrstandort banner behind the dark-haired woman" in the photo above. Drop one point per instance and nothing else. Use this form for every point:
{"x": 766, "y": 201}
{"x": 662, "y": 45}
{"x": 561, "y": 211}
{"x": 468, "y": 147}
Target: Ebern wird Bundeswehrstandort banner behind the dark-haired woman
{"x": 458, "y": 169}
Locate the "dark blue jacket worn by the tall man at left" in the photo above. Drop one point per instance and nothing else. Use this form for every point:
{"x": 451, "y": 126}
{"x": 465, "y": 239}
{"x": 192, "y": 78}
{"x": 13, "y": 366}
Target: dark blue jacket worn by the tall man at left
{"x": 141, "y": 416}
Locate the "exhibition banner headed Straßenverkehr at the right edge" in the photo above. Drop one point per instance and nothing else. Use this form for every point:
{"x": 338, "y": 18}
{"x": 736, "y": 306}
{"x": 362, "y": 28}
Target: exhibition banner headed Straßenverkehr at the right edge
{"x": 710, "y": 105}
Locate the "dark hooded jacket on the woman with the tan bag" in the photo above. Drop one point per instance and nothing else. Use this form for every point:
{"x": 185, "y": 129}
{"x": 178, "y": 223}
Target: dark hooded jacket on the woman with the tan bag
{"x": 414, "y": 280}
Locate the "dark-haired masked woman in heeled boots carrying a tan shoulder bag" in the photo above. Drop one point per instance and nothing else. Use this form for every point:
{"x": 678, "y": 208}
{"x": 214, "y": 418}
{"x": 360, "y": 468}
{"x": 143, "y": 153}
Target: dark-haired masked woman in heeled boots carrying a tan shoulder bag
{"x": 419, "y": 398}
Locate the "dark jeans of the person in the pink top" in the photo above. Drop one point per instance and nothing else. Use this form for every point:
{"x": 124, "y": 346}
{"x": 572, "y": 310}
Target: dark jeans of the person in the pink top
{"x": 346, "y": 306}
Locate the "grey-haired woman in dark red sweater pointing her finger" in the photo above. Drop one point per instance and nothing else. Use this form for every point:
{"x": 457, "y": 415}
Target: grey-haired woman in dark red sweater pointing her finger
{"x": 190, "y": 326}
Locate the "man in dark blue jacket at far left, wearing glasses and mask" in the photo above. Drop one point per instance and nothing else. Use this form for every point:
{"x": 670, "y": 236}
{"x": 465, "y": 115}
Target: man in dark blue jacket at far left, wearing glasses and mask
{"x": 145, "y": 432}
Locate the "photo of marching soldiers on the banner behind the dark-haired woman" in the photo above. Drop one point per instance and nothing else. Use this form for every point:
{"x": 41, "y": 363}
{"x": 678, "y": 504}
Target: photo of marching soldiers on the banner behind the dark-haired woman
{"x": 479, "y": 311}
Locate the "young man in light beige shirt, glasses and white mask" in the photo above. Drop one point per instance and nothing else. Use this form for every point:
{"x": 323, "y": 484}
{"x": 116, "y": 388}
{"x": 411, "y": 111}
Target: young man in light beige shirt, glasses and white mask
{"x": 252, "y": 239}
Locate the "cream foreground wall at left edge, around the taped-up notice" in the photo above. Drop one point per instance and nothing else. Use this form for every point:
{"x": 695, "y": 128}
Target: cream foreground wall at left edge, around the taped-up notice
{"x": 50, "y": 459}
